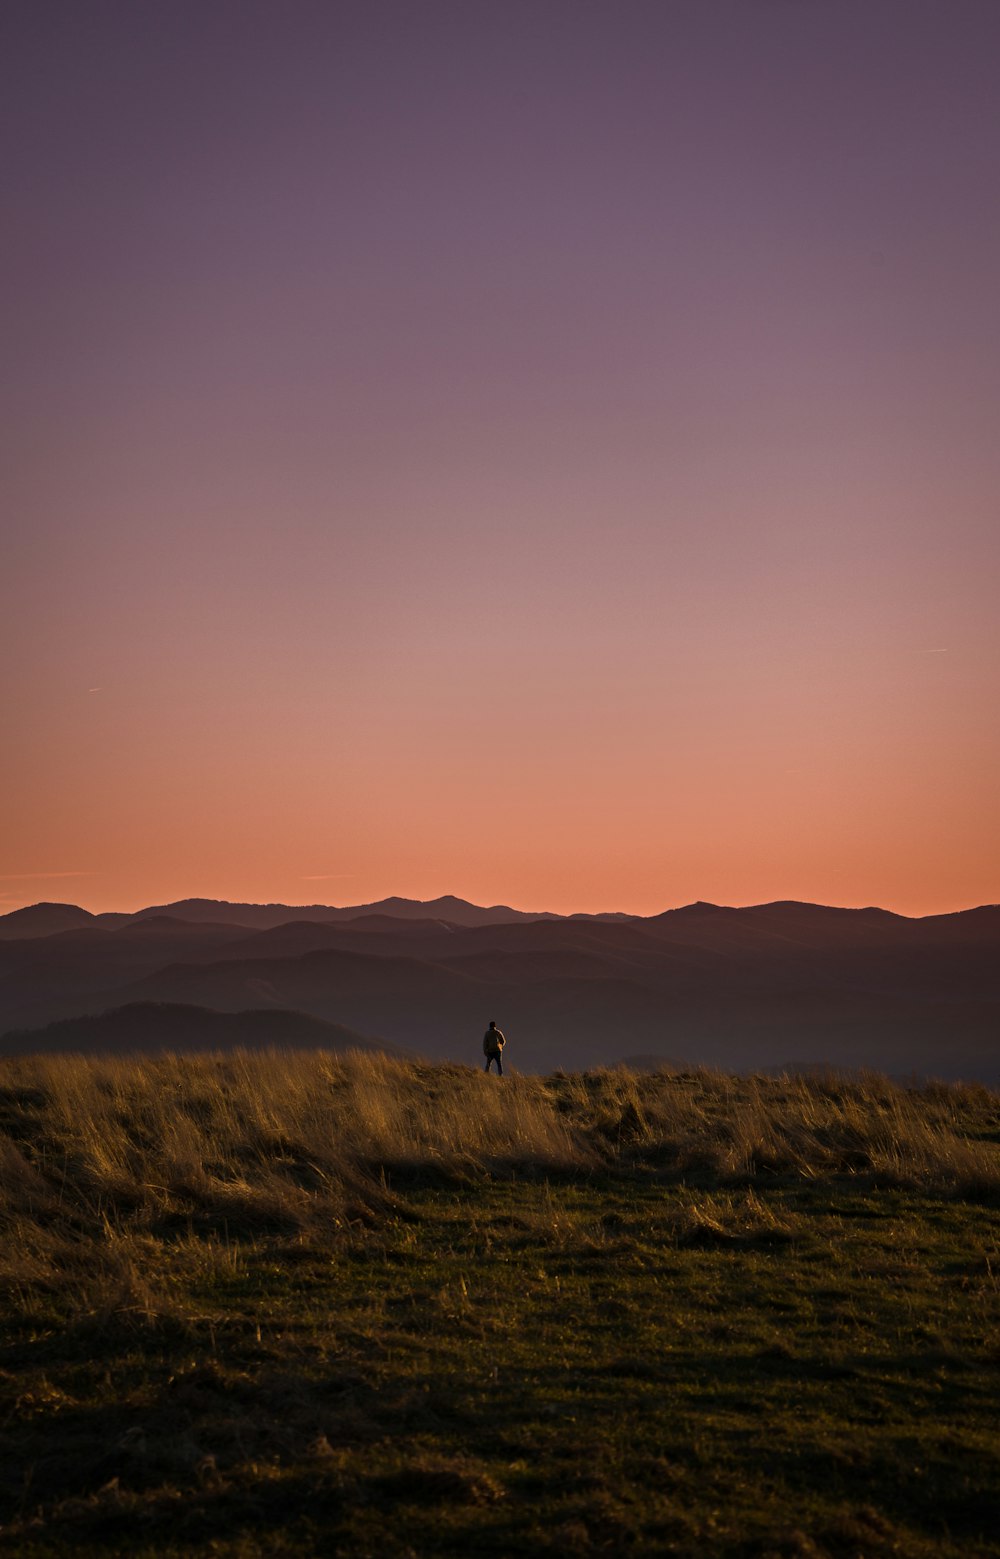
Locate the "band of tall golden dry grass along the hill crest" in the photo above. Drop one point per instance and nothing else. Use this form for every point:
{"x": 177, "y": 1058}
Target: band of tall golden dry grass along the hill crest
{"x": 119, "y": 1178}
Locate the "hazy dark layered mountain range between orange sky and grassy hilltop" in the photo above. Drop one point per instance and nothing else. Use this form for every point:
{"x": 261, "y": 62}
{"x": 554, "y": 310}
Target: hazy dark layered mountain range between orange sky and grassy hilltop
{"x": 782, "y": 985}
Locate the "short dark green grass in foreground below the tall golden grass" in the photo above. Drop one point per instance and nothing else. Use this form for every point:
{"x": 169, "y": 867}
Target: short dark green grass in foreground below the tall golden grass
{"x": 511, "y": 1366}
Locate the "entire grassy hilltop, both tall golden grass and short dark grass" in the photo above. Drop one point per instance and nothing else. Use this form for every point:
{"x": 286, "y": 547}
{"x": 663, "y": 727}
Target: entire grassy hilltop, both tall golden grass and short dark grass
{"x": 269, "y": 1304}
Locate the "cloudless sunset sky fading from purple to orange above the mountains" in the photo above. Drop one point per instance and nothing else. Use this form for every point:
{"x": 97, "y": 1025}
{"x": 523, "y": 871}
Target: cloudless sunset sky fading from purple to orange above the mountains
{"x": 542, "y": 451}
